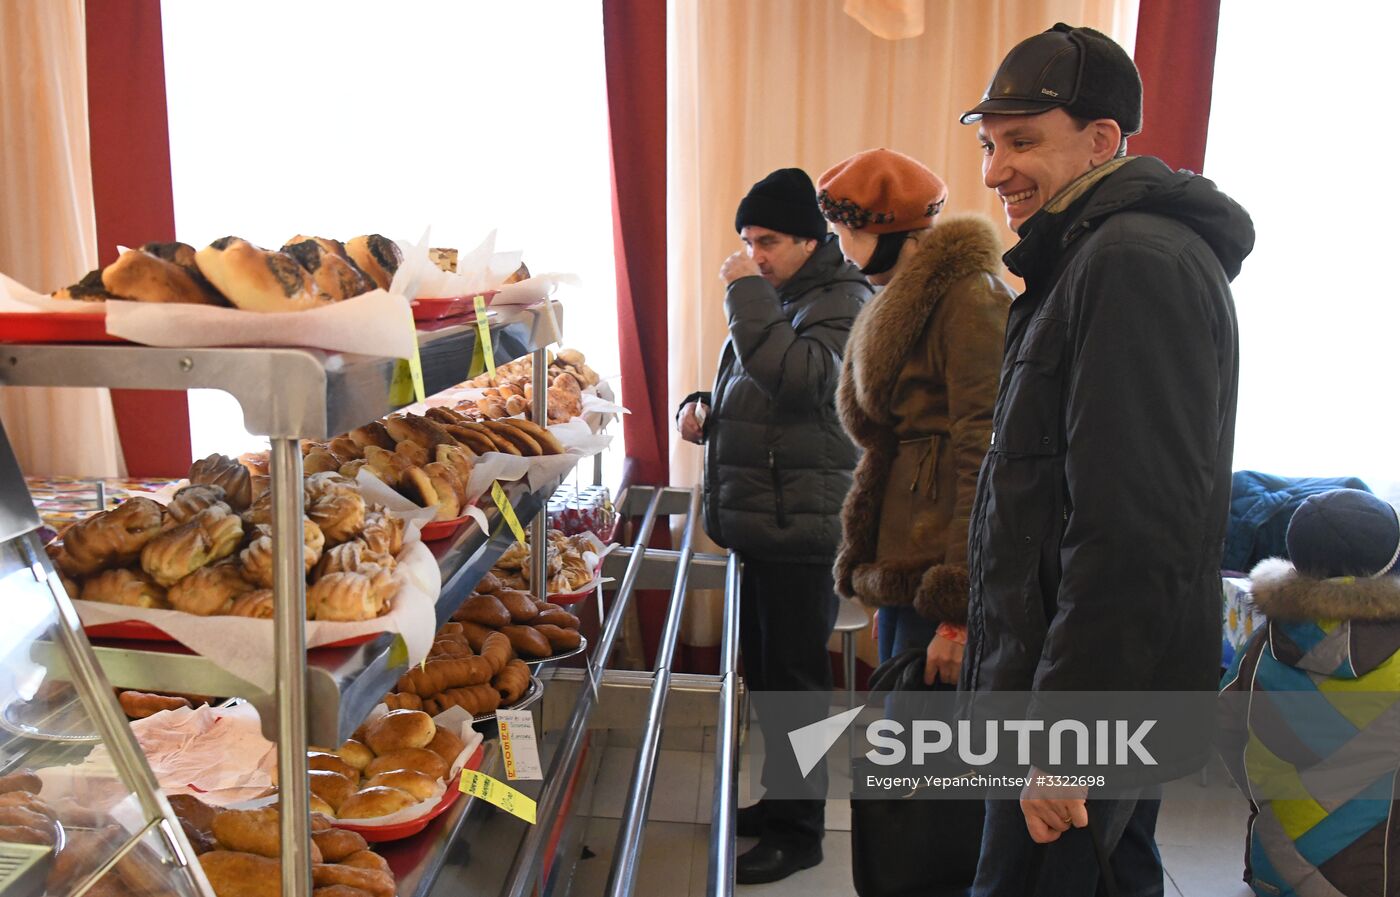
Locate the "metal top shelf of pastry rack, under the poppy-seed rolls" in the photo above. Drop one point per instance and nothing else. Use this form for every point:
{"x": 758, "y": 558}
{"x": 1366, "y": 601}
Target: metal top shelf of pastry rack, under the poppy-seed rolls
{"x": 285, "y": 393}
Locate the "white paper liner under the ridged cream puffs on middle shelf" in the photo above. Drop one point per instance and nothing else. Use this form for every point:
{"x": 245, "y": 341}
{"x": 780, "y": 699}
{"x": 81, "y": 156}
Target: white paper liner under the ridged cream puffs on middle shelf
{"x": 244, "y": 646}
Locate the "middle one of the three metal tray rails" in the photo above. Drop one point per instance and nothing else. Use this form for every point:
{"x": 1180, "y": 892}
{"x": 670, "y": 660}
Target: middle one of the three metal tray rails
{"x": 624, "y": 875}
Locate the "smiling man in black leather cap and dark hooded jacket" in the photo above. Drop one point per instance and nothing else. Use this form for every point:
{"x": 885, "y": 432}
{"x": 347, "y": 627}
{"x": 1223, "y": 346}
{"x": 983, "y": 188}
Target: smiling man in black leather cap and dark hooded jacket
{"x": 1098, "y": 528}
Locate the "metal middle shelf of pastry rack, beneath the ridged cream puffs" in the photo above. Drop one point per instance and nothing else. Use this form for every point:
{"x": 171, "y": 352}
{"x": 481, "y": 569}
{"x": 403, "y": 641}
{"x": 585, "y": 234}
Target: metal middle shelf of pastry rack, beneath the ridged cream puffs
{"x": 342, "y": 684}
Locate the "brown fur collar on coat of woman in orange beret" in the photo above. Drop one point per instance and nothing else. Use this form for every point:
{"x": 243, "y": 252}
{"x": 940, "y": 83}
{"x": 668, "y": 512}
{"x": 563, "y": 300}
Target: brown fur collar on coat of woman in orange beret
{"x": 890, "y": 324}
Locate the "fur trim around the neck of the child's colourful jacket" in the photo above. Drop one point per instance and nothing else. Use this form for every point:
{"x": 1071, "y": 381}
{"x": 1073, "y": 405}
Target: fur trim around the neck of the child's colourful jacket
{"x": 1283, "y": 594}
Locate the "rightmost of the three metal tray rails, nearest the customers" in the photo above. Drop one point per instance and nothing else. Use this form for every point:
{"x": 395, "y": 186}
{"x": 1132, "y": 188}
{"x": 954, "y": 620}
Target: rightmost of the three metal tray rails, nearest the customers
{"x": 726, "y": 782}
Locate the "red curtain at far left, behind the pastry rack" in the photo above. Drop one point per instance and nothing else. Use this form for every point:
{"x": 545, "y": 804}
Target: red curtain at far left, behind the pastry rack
{"x": 132, "y": 195}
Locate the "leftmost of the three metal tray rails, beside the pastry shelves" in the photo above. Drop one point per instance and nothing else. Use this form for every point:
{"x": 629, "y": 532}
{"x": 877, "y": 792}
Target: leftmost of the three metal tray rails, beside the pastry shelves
{"x": 526, "y": 868}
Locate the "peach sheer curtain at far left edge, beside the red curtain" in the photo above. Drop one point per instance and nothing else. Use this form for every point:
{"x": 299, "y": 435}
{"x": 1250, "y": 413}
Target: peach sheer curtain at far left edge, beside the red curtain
{"x": 48, "y": 232}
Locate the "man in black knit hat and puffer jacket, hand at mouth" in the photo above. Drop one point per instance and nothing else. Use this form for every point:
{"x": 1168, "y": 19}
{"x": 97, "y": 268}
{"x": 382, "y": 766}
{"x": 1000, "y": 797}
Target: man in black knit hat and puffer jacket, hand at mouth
{"x": 778, "y": 467}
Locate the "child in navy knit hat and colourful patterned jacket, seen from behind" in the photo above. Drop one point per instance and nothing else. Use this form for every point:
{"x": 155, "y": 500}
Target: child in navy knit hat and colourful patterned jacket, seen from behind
{"x": 1308, "y": 712}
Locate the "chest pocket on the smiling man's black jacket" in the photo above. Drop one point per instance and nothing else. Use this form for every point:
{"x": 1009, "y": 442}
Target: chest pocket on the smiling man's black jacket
{"x": 1030, "y": 421}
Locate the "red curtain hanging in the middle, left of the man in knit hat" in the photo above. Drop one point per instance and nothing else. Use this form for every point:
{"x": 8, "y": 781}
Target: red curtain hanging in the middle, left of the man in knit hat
{"x": 635, "y": 41}
